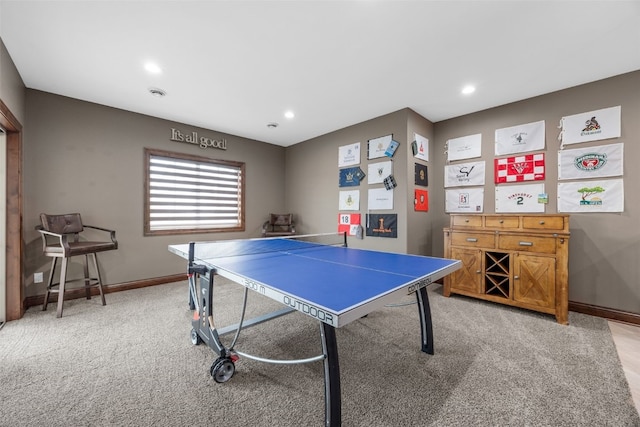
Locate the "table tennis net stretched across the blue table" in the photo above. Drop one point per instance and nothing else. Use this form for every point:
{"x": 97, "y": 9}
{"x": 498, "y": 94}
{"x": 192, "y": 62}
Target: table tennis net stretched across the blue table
{"x": 244, "y": 247}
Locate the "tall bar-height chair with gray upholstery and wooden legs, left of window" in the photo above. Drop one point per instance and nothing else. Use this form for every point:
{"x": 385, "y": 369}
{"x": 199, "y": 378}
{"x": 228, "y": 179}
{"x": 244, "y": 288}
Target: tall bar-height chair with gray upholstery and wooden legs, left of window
{"x": 62, "y": 238}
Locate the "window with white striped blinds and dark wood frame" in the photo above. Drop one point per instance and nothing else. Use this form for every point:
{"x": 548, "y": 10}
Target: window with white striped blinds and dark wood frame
{"x": 190, "y": 194}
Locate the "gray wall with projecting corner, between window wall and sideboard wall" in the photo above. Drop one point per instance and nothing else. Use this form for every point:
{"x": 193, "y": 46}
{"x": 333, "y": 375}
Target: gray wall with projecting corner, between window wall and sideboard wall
{"x": 312, "y": 181}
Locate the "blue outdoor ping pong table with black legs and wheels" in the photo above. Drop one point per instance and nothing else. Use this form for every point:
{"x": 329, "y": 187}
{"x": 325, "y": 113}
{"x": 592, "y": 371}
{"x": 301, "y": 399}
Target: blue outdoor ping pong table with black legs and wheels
{"x": 311, "y": 274}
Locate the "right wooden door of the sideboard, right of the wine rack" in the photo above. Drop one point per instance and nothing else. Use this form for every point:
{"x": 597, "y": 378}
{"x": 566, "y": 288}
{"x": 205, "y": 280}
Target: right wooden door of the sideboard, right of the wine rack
{"x": 534, "y": 279}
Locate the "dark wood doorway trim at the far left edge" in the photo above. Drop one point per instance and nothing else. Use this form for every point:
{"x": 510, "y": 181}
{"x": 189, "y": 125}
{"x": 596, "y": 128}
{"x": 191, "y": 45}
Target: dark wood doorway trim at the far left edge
{"x": 15, "y": 247}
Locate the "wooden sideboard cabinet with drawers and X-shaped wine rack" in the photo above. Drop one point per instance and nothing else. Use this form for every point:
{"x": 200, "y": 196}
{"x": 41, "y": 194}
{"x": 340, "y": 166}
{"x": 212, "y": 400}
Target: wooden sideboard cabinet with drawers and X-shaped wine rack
{"x": 518, "y": 260}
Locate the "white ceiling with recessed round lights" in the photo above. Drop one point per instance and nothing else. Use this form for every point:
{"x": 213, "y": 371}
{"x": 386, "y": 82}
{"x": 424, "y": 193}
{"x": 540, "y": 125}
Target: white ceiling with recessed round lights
{"x": 235, "y": 66}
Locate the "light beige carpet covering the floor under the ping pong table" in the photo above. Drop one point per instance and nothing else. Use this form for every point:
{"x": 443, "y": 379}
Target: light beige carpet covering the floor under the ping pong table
{"x": 131, "y": 363}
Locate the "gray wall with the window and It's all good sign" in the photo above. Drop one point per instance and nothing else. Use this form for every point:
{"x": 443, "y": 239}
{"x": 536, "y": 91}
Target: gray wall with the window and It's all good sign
{"x": 88, "y": 158}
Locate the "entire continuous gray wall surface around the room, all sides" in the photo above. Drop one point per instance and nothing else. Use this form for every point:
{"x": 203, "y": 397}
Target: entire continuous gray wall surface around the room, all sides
{"x": 77, "y": 155}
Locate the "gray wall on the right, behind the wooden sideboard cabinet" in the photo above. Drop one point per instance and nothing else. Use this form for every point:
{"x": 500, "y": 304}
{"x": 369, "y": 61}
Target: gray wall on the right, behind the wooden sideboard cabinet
{"x": 604, "y": 249}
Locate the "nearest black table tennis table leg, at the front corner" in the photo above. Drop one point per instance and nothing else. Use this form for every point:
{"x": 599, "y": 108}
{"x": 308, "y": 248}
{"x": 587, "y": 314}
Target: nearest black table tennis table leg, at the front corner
{"x": 332, "y": 398}
